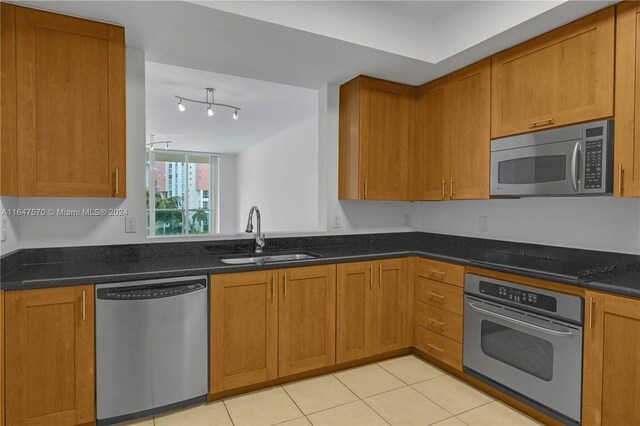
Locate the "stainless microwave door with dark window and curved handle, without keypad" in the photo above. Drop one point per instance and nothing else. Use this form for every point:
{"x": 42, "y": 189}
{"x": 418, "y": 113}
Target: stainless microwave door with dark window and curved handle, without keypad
{"x": 548, "y": 169}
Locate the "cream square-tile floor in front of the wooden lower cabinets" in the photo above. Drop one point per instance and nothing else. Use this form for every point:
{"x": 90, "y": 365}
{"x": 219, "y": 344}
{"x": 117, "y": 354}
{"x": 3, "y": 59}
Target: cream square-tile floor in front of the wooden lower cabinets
{"x": 400, "y": 391}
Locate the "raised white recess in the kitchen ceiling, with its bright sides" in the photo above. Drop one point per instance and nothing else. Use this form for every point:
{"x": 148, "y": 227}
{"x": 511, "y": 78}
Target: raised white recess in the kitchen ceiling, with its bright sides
{"x": 428, "y": 31}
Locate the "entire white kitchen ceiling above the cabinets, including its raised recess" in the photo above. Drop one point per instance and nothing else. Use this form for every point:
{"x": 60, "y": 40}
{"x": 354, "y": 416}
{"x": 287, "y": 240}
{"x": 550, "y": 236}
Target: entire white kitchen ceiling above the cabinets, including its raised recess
{"x": 408, "y": 42}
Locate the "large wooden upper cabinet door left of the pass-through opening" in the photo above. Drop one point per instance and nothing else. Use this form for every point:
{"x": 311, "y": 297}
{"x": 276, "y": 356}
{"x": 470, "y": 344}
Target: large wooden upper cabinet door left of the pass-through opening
{"x": 70, "y": 106}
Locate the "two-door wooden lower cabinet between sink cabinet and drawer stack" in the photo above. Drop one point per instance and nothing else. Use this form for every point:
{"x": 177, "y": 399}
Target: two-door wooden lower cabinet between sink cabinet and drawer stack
{"x": 371, "y": 308}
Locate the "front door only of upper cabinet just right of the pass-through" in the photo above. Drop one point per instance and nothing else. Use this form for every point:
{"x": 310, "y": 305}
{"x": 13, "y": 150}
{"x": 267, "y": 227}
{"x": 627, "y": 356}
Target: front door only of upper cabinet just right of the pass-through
{"x": 386, "y": 116}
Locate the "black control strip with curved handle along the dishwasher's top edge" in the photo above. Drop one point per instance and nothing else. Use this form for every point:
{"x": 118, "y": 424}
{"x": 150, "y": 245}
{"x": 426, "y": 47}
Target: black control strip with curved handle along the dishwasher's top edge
{"x": 148, "y": 292}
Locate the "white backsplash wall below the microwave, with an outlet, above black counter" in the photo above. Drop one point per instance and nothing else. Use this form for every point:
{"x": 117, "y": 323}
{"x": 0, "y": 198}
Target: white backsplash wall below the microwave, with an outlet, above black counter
{"x": 598, "y": 223}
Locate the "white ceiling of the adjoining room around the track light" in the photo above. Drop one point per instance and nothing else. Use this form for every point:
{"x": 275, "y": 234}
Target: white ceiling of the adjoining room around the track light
{"x": 267, "y": 109}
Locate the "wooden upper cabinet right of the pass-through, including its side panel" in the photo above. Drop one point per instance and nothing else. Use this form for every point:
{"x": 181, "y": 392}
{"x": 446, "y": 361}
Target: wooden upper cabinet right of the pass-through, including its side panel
{"x": 376, "y": 130}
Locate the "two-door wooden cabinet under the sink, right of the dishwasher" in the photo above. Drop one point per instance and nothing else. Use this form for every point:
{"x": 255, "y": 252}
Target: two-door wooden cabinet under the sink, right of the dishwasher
{"x": 270, "y": 324}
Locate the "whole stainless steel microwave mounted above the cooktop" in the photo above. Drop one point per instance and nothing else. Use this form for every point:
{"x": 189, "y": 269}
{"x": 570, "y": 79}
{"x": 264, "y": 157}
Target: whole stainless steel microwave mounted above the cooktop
{"x": 572, "y": 160}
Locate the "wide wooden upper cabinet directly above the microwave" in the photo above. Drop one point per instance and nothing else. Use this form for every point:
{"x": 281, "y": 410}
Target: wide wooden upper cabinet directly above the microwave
{"x": 562, "y": 77}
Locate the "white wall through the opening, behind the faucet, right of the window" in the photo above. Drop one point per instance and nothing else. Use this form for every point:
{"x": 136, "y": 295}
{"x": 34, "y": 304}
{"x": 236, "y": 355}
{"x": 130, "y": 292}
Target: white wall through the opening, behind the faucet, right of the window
{"x": 280, "y": 176}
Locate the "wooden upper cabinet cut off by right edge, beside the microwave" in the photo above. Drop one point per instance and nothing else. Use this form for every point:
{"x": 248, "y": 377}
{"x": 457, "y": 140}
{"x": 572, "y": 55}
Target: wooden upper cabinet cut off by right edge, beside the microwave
{"x": 627, "y": 146}
